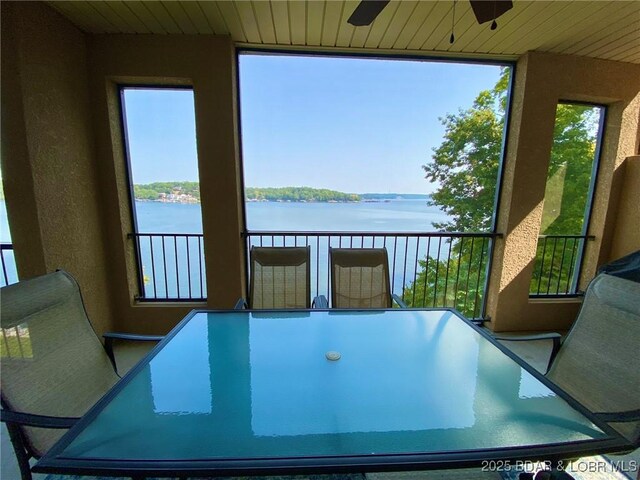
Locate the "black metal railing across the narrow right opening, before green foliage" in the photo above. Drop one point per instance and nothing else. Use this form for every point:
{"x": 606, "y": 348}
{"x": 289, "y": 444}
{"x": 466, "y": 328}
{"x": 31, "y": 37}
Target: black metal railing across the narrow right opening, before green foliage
{"x": 557, "y": 266}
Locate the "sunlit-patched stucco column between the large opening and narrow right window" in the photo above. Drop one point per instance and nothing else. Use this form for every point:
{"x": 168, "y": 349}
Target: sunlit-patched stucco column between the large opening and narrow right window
{"x": 525, "y": 170}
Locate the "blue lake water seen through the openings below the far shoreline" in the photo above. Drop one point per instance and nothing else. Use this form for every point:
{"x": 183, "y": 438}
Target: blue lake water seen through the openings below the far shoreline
{"x": 173, "y": 268}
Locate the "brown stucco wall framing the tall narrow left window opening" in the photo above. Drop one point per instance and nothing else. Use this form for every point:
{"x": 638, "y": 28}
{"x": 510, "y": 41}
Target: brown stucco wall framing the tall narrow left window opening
{"x": 208, "y": 64}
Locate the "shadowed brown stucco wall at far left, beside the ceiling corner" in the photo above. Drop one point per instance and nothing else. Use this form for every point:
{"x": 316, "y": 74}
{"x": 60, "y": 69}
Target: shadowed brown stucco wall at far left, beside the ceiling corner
{"x": 48, "y": 163}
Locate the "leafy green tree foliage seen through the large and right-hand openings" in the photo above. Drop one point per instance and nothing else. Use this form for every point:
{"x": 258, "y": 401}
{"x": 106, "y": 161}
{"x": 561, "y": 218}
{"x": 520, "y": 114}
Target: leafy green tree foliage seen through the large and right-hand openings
{"x": 466, "y": 164}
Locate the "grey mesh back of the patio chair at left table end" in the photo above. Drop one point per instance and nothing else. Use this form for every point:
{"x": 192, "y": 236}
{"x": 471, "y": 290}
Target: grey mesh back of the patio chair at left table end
{"x": 52, "y": 361}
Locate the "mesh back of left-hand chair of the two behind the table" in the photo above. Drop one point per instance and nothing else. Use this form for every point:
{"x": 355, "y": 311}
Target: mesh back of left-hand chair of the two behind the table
{"x": 280, "y": 277}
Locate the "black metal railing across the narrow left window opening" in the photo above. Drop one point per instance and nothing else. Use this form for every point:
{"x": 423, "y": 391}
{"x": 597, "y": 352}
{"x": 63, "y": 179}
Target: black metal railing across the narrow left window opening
{"x": 170, "y": 266}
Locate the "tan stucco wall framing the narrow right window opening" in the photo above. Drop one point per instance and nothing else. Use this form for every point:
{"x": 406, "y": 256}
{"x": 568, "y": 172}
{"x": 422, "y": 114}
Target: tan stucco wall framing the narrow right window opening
{"x": 541, "y": 81}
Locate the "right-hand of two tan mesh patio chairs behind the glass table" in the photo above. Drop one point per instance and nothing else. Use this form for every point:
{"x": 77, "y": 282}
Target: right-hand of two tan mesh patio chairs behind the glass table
{"x": 360, "y": 278}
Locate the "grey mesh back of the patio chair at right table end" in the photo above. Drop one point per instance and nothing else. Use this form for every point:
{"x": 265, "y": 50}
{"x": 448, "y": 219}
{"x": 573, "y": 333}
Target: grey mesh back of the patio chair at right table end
{"x": 598, "y": 363}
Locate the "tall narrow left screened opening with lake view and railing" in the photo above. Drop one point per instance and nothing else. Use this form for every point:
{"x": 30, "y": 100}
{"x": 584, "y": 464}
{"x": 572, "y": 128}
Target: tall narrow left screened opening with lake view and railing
{"x": 160, "y": 140}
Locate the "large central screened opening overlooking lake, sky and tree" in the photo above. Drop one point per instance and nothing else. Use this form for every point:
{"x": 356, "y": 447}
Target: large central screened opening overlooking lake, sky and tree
{"x": 401, "y": 154}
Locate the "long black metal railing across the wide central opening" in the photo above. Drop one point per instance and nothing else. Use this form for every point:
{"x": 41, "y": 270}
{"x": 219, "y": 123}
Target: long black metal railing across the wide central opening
{"x": 433, "y": 269}
